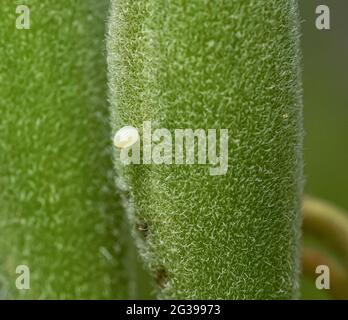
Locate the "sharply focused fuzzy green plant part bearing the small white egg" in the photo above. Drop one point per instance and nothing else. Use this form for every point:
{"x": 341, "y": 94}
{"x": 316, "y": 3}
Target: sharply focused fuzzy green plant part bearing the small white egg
{"x": 213, "y": 64}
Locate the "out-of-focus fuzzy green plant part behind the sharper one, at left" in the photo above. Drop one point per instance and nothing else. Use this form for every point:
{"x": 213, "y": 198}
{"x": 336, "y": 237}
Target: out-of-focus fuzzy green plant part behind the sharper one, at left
{"x": 59, "y": 211}
